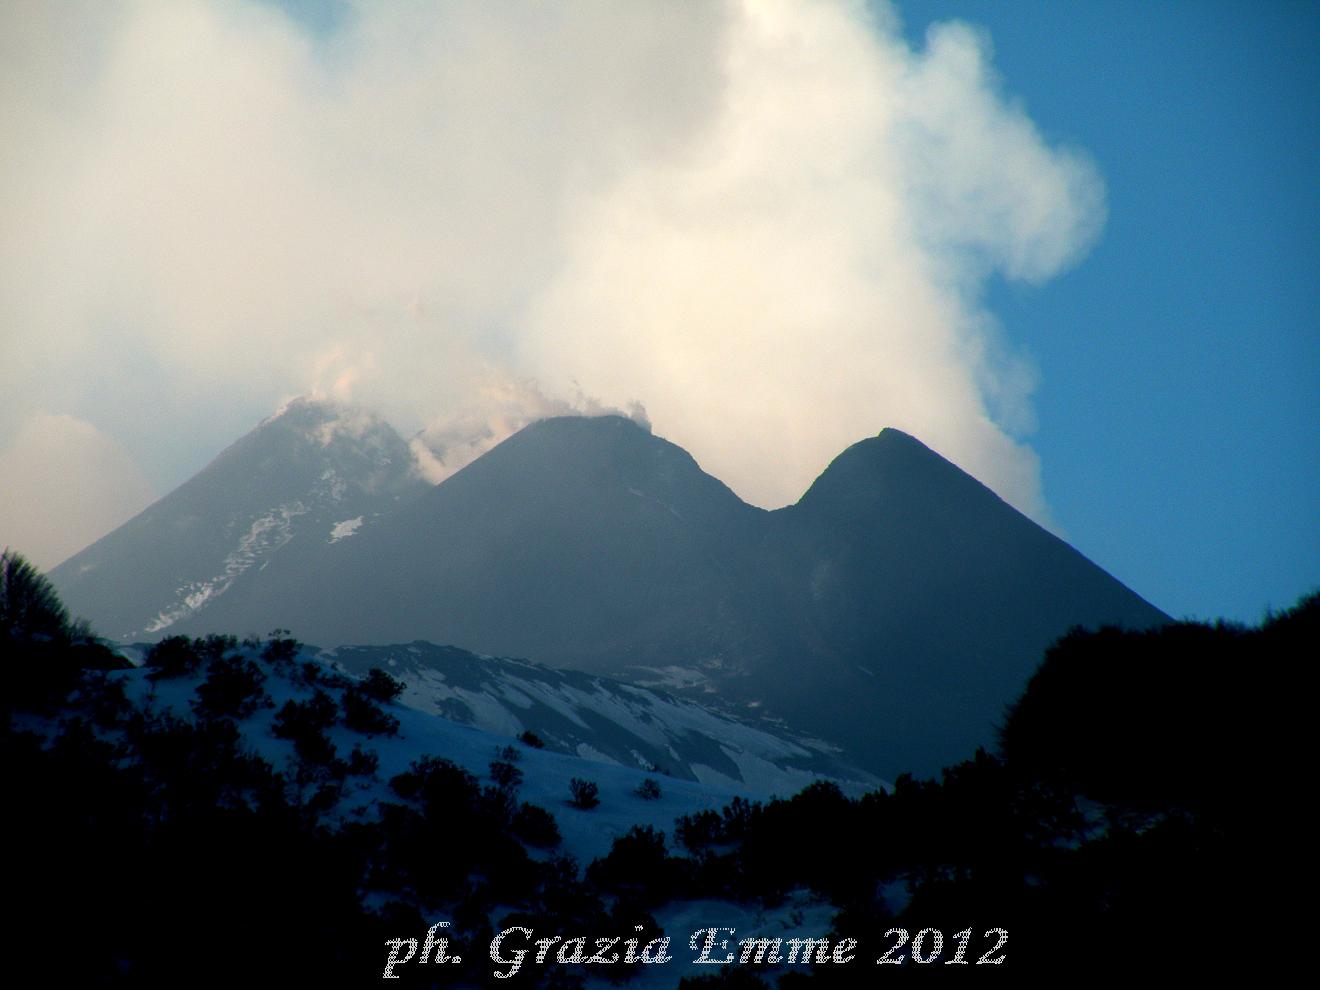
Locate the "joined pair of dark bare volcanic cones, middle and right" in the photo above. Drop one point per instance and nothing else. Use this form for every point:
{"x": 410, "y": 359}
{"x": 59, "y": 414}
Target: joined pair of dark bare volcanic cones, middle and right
{"x": 894, "y": 609}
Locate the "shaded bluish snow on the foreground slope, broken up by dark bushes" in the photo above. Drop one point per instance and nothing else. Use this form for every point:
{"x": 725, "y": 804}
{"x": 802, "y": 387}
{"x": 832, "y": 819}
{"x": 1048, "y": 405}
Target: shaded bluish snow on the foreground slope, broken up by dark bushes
{"x": 544, "y": 781}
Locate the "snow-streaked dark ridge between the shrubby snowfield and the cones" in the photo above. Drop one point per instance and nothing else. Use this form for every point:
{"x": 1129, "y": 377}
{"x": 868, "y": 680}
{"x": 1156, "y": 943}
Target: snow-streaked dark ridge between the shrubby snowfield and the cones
{"x": 604, "y": 721}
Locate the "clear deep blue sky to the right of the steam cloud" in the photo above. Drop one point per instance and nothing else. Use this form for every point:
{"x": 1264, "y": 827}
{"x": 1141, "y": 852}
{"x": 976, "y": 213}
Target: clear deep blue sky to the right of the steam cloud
{"x": 1179, "y": 401}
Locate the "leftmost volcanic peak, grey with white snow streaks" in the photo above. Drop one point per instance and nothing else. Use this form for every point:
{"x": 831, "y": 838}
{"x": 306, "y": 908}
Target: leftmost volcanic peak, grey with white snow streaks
{"x": 315, "y": 476}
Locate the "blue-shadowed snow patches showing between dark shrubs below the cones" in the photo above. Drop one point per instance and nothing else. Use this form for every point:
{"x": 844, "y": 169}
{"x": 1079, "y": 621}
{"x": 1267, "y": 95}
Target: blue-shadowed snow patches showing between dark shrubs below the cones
{"x": 587, "y": 835}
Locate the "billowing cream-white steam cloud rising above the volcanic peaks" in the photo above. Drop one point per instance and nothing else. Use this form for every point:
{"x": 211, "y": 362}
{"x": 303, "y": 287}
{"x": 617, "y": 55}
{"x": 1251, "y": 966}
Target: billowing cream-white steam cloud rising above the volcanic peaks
{"x": 769, "y": 222}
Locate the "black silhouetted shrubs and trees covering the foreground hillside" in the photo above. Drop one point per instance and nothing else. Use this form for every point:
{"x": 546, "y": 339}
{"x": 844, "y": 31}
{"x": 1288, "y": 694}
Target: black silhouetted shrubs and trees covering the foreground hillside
{"x": 1136, "y": 806}
